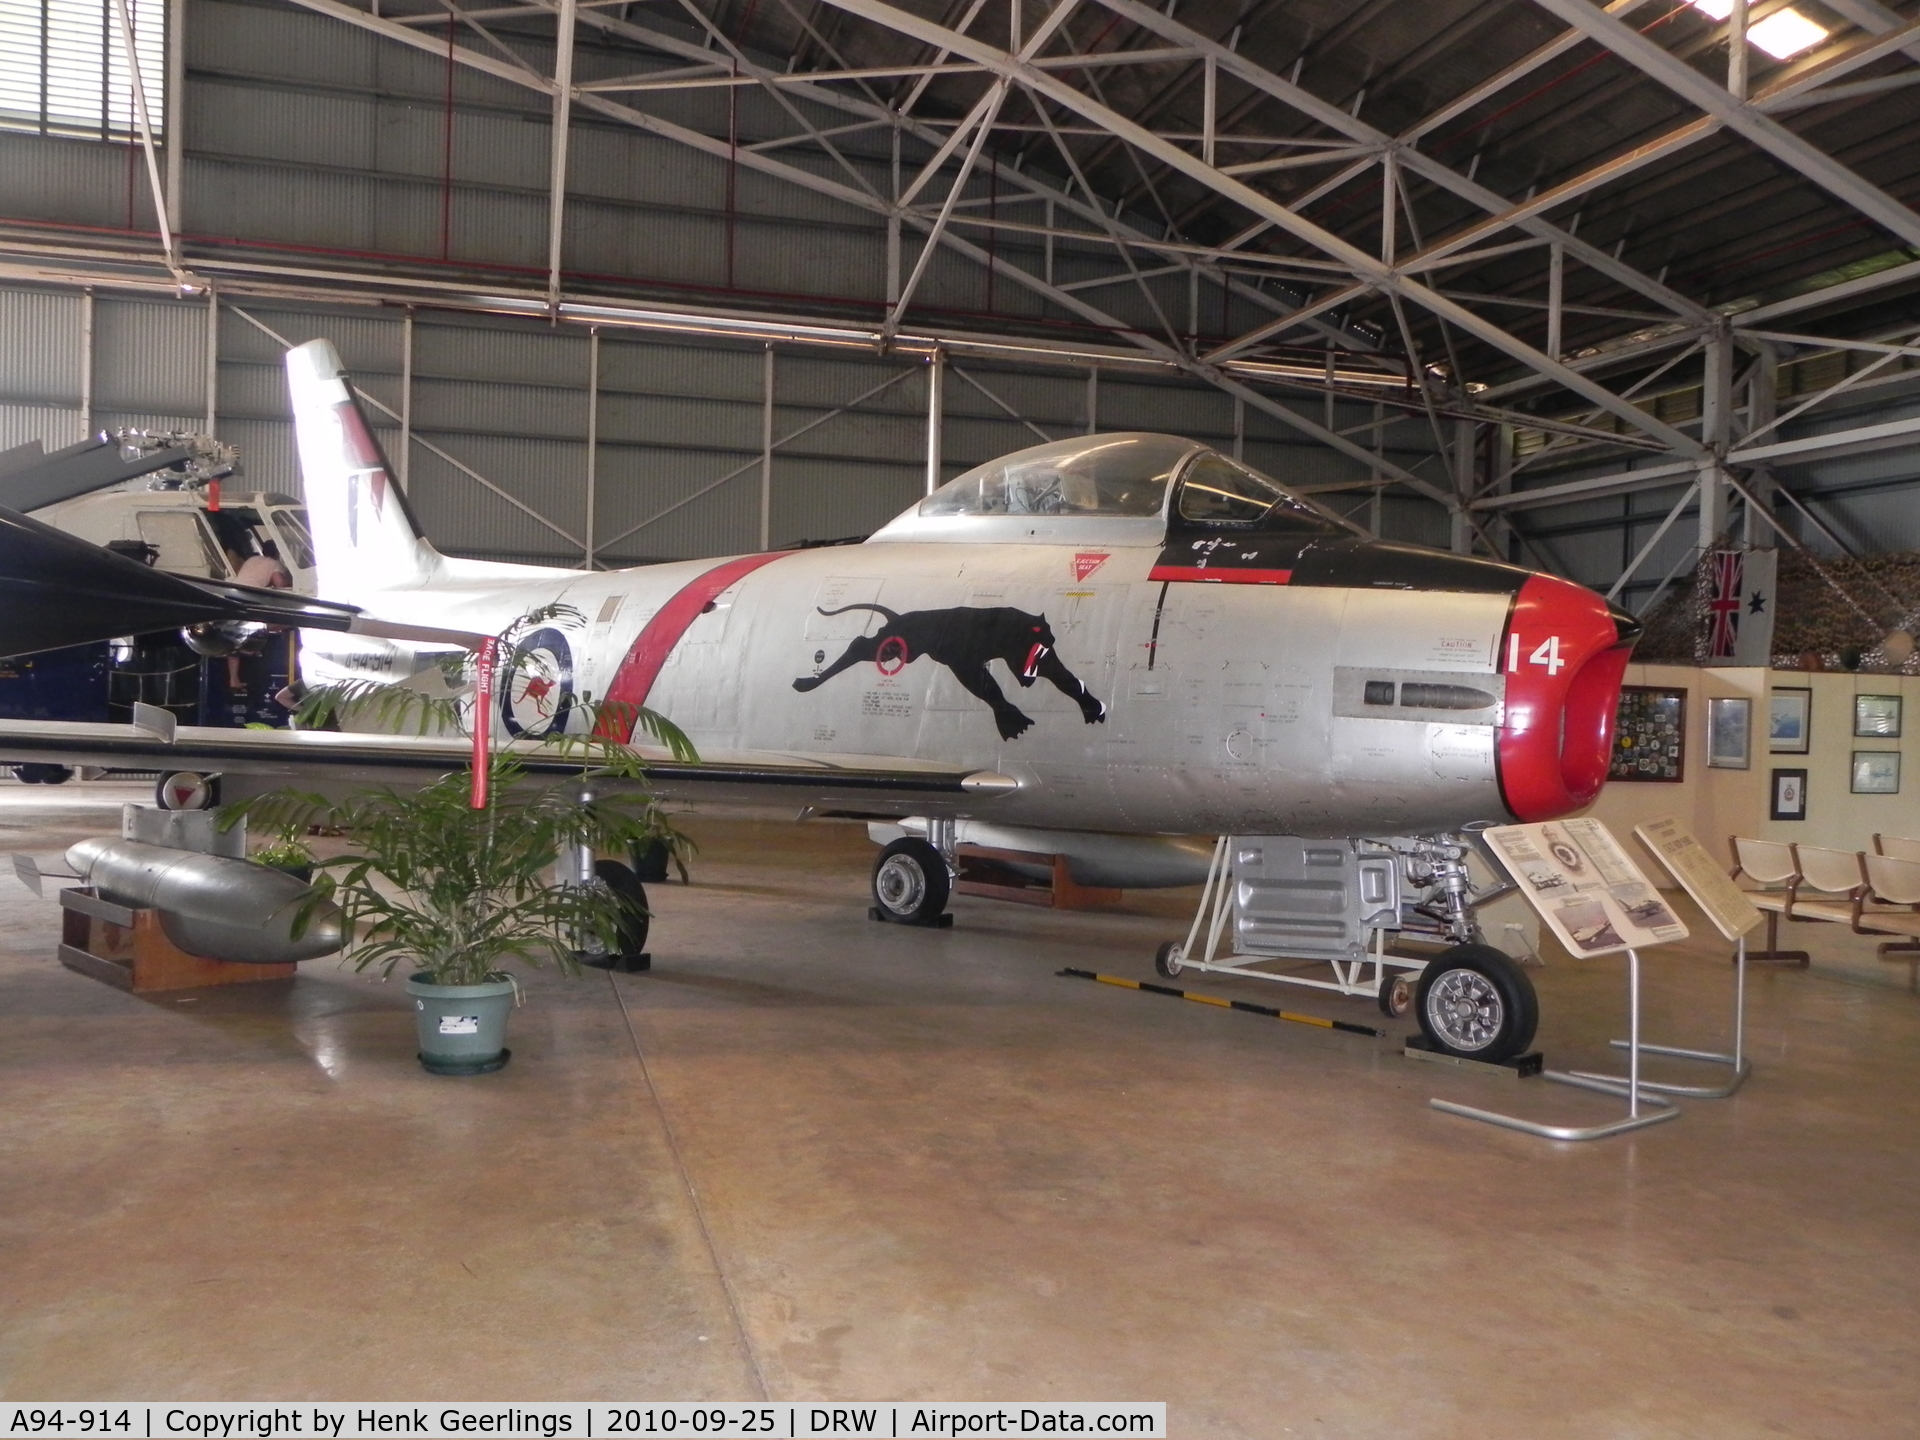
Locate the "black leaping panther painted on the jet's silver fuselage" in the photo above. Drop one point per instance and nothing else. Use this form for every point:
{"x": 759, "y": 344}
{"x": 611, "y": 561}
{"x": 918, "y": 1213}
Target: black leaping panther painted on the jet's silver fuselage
{"x": 965, "y": 640}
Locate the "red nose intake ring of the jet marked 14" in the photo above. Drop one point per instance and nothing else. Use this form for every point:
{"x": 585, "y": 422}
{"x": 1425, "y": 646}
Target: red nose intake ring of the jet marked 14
{"x": 1564, "y": 660}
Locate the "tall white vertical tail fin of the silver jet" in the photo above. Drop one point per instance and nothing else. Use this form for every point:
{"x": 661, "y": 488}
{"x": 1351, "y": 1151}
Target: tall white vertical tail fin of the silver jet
{"x": 364, "y": 535}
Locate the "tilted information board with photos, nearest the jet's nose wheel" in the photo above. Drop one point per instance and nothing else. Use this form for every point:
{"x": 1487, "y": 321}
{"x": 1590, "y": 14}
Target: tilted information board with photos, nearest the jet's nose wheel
{"x": 1585, "y": 886}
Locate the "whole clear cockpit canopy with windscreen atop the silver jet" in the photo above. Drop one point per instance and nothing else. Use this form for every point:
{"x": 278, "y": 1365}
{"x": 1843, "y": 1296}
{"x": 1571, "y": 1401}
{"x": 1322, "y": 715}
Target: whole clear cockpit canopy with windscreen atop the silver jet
{"x": 1115, "y": 477}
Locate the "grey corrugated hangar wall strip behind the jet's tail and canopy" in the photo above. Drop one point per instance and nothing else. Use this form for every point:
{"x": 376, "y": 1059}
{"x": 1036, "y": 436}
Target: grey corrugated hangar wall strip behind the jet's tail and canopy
{"x": 679, "y": 458}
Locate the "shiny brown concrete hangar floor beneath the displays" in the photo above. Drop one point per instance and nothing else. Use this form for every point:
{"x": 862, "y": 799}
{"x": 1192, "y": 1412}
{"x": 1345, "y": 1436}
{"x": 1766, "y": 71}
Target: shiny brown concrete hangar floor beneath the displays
{"x": 811, "y": 1157}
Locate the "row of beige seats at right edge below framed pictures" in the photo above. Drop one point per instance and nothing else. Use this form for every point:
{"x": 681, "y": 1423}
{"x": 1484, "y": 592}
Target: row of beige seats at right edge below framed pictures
{"x": 1875, "y": 894}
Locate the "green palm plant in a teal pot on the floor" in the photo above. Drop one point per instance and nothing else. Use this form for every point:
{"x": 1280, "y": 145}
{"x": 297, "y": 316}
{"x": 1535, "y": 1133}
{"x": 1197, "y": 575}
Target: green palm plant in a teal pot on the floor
{"x": 456, "y": 894}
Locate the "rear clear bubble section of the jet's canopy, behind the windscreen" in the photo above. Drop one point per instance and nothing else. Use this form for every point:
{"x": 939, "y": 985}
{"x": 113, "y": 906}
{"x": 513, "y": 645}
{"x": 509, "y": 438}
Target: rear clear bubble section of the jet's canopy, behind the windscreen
{"x": 1088, "y": 475}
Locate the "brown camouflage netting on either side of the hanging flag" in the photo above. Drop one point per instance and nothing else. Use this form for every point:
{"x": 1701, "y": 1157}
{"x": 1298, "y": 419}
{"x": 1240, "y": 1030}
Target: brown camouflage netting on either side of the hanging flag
{"x": 1815, "y": 615}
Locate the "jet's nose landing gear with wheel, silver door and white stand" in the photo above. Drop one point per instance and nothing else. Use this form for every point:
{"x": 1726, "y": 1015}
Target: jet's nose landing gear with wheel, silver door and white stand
{"x": 1284, "y": 900}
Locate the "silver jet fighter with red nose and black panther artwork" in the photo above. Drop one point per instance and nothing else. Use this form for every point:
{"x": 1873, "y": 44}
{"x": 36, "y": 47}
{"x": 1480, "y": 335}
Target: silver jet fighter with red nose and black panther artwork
{"x": 1111, "y": 635}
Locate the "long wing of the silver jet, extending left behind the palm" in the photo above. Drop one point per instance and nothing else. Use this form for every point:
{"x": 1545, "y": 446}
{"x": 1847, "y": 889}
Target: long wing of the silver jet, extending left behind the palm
{"x": 270, "y": 759}
